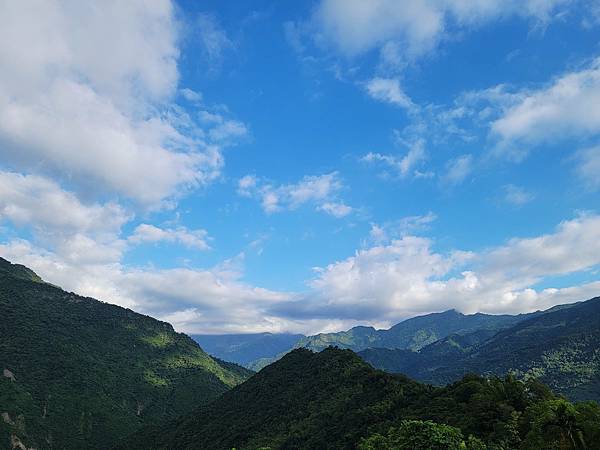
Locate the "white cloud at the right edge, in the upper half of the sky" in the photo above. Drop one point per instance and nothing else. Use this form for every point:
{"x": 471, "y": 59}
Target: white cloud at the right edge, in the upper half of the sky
{"x": 567, "y": 107}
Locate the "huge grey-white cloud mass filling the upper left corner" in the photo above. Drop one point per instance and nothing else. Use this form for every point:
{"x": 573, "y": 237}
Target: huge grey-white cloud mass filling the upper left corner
{"x": 86, "y": 96}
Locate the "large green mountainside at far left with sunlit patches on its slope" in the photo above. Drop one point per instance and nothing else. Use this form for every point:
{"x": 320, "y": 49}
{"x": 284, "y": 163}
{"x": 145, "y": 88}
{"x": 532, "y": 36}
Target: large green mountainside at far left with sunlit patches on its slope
{"x": 77, "y": 373}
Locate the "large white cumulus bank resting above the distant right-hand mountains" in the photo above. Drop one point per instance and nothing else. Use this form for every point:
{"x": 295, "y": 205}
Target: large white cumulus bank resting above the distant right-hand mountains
{"x": 407, "y": 276}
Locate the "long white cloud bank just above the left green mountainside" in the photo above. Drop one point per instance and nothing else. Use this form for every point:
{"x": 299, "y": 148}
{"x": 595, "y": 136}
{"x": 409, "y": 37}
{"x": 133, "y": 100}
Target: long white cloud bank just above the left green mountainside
{"x": 81, "y": 247}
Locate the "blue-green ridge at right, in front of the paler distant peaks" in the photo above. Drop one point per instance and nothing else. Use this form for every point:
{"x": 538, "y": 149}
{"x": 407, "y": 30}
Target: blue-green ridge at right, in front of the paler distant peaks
{"x": 559, "y": 347}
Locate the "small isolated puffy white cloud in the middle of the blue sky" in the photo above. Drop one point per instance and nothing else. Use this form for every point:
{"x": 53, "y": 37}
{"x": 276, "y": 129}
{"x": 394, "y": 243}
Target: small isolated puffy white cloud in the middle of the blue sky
{"x": 319, "y": 190}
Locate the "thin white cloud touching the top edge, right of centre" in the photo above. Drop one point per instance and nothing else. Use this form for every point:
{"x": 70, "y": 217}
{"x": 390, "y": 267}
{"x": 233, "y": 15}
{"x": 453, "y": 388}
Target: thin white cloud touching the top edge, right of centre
{"x": 354, "y": 27}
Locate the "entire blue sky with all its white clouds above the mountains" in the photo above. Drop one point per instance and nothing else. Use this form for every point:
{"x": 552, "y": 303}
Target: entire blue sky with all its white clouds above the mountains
{"x": 284, "y": 166}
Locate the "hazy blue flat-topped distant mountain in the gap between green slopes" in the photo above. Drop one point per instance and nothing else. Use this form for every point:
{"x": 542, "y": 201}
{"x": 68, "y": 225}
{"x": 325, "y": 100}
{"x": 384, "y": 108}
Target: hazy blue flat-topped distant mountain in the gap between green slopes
{"x": 245, "y": 348}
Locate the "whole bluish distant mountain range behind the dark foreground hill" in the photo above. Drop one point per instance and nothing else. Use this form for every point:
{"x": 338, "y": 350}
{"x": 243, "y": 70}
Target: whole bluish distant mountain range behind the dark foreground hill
{"x": 559, "y": 346}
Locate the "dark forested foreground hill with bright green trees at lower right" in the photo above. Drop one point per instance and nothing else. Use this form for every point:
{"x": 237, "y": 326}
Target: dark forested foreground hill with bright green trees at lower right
{"x": 334, "y": 400}
